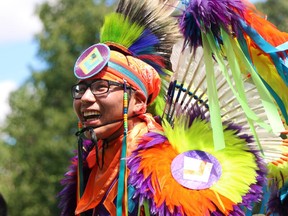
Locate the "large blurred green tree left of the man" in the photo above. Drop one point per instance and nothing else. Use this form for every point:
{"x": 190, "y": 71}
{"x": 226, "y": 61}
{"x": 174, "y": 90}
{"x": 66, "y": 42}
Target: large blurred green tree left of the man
{"x": 39, "y": 133}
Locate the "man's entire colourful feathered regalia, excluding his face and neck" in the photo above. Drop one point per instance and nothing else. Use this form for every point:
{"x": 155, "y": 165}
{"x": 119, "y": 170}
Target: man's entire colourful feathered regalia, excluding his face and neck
{"x": 217, "y": 144}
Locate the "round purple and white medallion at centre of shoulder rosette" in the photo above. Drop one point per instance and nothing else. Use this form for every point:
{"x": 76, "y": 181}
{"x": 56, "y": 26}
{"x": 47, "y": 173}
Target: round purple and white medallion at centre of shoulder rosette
{"x": 196, "y": 169}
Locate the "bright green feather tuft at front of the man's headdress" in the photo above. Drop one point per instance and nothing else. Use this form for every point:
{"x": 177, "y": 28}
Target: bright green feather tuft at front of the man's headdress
{"x": 120, "y": 30}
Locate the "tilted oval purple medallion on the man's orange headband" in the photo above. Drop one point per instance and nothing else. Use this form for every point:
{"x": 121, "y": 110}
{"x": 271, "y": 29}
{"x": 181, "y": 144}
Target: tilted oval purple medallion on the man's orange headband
{"x": 92, "y": 61}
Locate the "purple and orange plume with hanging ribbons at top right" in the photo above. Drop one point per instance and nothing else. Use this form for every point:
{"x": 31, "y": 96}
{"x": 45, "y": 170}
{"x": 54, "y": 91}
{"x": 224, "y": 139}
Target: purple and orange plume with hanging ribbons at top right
{"x": 256, "y": 43}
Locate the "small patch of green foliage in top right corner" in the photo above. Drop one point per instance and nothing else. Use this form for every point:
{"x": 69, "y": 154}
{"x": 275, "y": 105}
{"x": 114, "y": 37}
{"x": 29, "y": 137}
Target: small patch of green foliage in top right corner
{"x": 276, "y": 12}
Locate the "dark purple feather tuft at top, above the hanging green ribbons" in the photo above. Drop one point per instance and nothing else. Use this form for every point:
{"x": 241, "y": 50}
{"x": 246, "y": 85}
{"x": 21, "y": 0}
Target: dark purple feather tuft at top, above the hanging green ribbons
{"x": 203, "y": 15}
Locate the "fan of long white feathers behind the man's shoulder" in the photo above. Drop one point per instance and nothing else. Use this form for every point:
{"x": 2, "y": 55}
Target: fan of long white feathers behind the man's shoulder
{"x": 242, "y": 108}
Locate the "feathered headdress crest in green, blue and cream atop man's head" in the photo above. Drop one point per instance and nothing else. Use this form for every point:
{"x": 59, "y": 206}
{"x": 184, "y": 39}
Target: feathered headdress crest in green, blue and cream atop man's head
{"x": 144, "y": 29}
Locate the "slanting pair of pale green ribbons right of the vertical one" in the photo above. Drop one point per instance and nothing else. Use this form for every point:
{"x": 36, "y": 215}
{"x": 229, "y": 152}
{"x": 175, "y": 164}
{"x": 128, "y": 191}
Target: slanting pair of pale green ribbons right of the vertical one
{"x": 232, "y": 49}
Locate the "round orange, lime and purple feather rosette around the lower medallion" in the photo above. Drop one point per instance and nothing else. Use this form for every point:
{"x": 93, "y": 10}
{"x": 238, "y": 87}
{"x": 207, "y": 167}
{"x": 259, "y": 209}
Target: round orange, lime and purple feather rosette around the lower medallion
{"x": 150, "y": 169}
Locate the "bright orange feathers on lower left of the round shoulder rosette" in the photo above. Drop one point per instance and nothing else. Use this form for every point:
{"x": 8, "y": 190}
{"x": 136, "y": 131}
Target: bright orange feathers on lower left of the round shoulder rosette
{"x": 156, "y": 163}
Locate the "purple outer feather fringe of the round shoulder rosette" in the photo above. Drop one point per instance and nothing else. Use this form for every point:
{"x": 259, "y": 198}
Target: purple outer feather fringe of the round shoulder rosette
{"x": 143, "y": 186}
